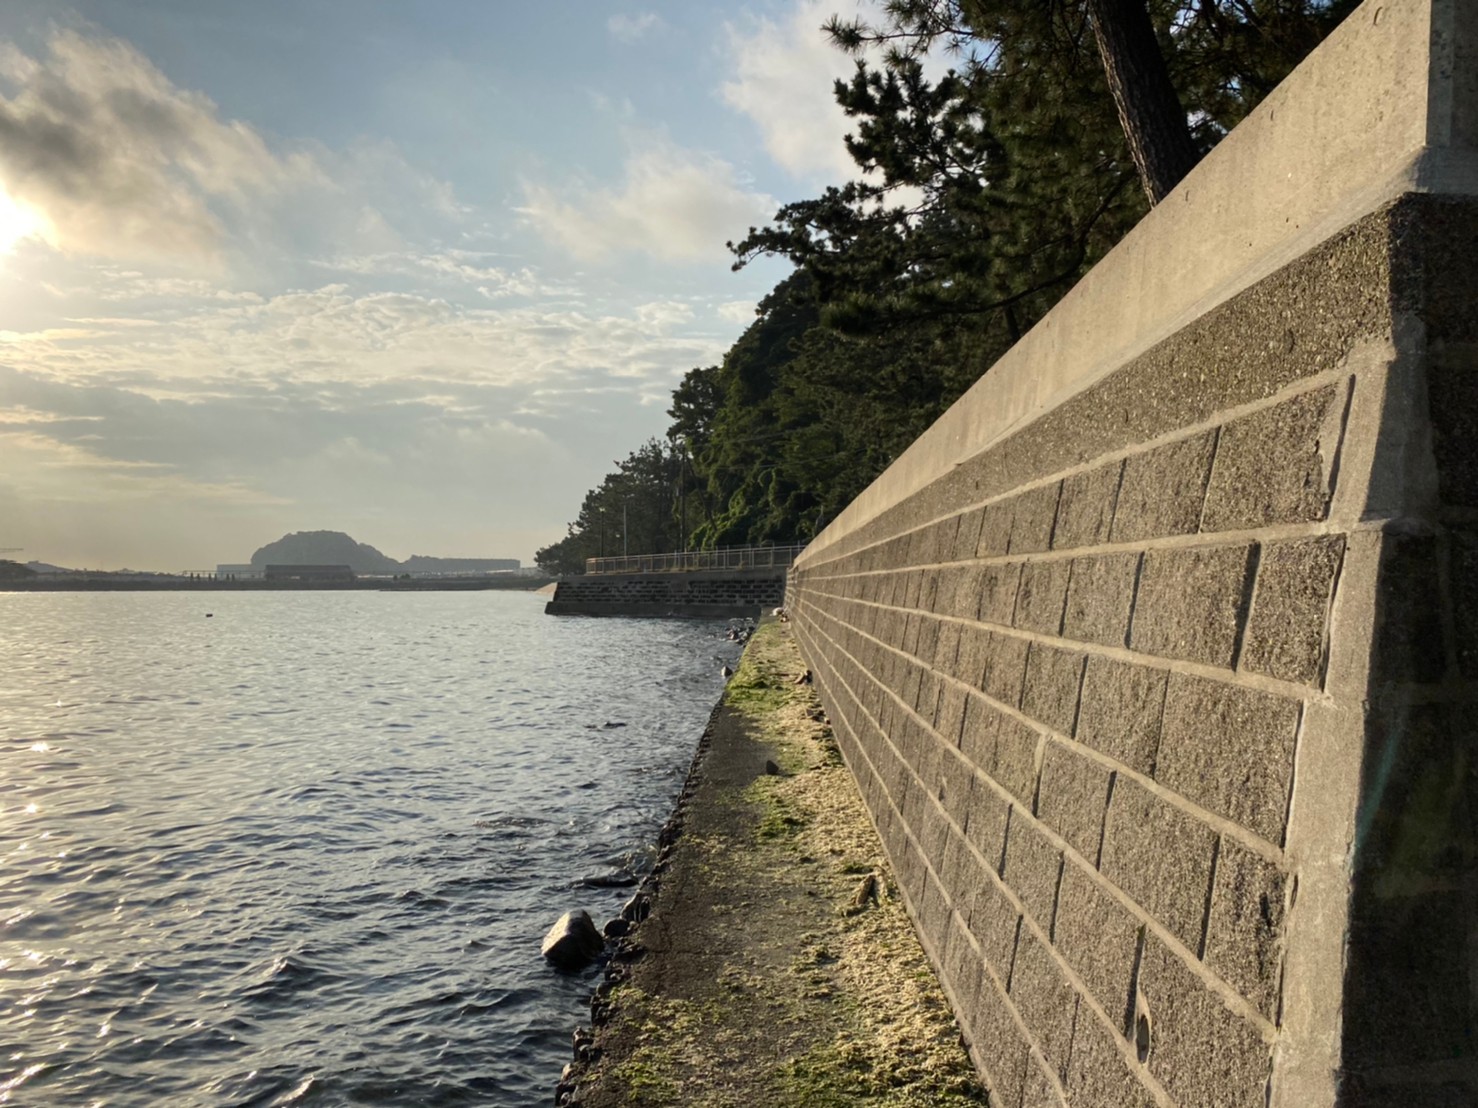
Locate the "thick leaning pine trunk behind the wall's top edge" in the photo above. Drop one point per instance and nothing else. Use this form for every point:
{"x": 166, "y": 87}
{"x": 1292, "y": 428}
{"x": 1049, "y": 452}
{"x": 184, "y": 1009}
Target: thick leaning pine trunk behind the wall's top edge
{"x": 1149, "y": 110}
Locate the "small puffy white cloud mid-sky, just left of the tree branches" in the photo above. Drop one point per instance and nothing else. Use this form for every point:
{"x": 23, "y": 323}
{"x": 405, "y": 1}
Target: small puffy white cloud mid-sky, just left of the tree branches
{"x": 673, "y": 205}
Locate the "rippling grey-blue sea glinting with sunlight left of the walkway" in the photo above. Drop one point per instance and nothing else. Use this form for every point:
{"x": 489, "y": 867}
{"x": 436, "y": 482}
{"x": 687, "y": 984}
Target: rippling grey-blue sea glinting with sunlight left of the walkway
{"x": 304, "y": 852}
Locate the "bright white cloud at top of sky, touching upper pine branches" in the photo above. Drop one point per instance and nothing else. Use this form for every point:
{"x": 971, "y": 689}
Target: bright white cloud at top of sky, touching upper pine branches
{"x": 783, "y": 82}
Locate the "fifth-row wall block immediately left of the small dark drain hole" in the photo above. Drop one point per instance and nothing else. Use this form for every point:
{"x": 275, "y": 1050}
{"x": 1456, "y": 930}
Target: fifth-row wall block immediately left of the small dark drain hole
{"x": 1099, "y": 939}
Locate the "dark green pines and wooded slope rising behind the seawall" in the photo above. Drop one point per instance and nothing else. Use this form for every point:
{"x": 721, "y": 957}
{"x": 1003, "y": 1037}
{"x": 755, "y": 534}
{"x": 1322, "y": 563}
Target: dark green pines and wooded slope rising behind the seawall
{"x": 982, "y": 199}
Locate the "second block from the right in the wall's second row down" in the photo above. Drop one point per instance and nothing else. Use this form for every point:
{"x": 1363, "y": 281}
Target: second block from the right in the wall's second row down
{"x": 1192, "y": 603}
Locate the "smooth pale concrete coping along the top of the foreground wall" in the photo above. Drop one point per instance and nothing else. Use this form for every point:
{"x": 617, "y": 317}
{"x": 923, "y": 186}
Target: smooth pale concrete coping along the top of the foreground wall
{"x": 1386, "y": 107}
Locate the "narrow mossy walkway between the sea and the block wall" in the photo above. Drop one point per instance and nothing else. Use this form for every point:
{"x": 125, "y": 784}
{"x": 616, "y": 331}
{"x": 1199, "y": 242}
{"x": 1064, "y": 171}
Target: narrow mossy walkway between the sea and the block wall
{"x": 778, "y": 967}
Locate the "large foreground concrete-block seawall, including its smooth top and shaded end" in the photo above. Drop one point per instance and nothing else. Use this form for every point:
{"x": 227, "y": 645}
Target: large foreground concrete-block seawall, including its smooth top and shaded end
{"x": 1157, "y": 660}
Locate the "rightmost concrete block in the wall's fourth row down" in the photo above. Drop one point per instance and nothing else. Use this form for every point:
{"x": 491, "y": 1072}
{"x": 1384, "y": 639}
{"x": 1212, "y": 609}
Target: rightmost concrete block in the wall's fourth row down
{"x": 1245, "y": 929}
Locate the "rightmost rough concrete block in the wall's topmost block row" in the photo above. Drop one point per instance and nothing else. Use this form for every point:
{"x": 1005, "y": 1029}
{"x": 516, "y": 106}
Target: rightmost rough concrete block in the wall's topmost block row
{"x": 1276, "y": 466}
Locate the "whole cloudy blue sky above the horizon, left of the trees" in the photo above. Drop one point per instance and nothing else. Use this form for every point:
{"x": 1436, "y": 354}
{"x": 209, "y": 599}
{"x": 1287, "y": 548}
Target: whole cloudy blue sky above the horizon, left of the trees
{"x": 419, "y": 273}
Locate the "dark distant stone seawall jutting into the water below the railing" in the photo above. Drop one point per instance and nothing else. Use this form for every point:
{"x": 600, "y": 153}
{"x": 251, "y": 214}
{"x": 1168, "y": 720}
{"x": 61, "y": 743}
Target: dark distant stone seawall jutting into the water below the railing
{"x": 707, "y": 595}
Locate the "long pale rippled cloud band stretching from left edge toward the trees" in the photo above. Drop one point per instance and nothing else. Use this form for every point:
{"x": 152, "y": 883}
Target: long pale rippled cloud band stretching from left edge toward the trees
{"x": 335, "y": 336}
